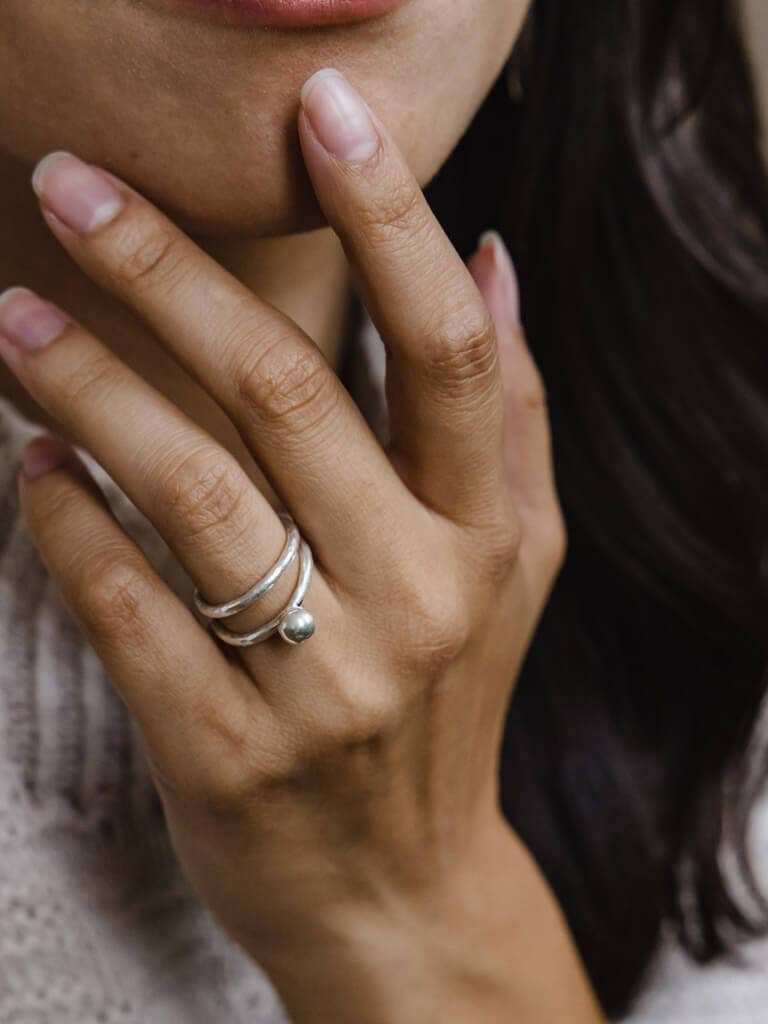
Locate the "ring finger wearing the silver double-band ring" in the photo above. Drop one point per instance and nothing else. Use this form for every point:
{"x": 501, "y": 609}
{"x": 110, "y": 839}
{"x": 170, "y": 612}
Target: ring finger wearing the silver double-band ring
{"x": 201, "y": 500}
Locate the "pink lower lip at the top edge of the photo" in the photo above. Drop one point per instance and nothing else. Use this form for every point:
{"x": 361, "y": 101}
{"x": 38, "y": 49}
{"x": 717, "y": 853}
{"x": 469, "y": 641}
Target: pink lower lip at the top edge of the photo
{"x": 293, "y": 14}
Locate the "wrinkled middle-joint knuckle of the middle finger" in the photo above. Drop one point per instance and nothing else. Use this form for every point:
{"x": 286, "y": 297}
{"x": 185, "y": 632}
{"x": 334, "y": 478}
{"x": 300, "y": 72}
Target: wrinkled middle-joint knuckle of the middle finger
{"x": 294, "y": 389}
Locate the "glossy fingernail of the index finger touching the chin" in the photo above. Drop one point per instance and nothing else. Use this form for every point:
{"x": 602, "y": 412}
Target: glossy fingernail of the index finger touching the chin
{"x": 339, "y": 117}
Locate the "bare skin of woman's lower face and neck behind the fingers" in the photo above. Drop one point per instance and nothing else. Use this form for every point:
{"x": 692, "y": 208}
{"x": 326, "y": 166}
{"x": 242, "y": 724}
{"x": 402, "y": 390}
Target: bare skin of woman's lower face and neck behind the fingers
{"x": 201, "y": 116}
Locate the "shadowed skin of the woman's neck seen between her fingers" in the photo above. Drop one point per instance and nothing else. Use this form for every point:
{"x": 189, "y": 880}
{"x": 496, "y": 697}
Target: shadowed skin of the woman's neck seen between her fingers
{"x": 305, "y": 276}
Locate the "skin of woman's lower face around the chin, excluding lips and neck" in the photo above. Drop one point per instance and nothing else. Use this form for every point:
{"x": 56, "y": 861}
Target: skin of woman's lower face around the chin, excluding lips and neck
{"x": 120, "y": 82}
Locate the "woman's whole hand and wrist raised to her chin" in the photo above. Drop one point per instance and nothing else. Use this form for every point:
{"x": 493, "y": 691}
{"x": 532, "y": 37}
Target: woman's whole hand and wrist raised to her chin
{"x": 334, "y": 803}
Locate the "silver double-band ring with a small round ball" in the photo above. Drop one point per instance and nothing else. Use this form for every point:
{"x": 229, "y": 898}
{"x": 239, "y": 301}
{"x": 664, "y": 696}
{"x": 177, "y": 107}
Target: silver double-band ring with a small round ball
{"x": 294, "y": 624}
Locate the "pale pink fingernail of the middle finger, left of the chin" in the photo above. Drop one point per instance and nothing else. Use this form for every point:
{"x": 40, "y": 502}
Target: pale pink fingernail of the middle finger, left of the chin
{"x": 79, "y": 195}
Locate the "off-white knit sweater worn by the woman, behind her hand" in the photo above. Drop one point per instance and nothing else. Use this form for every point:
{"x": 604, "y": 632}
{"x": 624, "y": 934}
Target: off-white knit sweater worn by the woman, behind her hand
{"x": 97, "y": 924}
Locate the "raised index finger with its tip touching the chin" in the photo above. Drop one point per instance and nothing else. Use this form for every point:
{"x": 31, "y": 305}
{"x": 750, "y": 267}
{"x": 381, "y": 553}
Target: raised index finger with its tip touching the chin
{"x": 444, "y": 379}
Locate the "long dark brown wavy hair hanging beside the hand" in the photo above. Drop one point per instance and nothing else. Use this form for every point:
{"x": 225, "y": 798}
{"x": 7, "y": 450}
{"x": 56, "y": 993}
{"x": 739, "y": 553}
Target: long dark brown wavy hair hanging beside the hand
{"x": 624, "y": 170}
